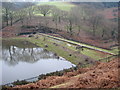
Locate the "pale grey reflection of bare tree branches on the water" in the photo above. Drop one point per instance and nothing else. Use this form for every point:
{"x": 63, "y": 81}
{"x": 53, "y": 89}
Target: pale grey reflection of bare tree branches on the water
{"x": 14, "y": 55}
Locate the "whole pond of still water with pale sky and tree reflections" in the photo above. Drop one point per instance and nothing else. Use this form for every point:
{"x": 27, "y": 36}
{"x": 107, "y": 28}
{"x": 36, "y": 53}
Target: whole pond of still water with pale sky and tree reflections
{"x": 22, "y": 60}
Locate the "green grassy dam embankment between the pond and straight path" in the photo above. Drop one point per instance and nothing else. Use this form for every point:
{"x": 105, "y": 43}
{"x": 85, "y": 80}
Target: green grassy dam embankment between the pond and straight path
{"x": 66, "y": 51}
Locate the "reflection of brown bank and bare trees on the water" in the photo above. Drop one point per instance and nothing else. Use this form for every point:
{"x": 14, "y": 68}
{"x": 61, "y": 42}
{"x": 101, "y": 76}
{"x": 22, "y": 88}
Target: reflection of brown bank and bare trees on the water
{"x": 13, "y": 53}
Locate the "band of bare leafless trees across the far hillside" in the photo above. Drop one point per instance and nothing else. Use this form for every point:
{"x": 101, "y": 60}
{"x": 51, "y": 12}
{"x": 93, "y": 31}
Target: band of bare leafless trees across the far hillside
{"x": 76, "y": 18}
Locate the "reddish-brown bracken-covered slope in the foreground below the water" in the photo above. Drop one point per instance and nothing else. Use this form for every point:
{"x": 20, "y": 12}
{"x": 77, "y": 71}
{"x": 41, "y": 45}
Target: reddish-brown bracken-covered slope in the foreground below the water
{"x": 101, "y": 75}
